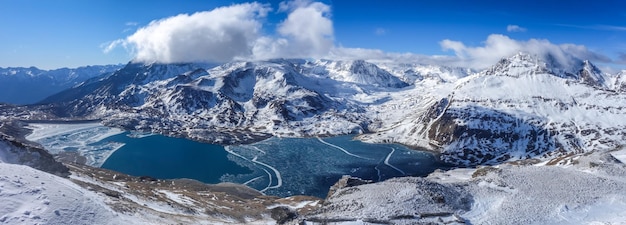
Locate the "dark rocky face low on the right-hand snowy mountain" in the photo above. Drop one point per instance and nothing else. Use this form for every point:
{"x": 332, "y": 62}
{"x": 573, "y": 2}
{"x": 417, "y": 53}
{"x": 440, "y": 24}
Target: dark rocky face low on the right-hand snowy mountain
{"x": 479, "y": 136}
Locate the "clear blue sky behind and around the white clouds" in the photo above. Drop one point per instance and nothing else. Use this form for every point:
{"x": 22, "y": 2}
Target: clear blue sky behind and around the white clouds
{"x": 71, "y": 33}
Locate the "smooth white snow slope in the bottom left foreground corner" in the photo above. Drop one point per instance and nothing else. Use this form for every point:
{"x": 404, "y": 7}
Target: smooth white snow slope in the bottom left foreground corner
{"x": 29, "y": 196}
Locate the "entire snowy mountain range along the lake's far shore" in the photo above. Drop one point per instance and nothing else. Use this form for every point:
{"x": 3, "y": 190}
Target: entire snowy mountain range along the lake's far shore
{"x": 524, "y": 106}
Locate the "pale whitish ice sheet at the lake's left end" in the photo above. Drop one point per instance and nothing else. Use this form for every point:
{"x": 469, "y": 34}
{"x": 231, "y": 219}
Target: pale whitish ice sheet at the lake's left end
{"x": 84, "y": 138}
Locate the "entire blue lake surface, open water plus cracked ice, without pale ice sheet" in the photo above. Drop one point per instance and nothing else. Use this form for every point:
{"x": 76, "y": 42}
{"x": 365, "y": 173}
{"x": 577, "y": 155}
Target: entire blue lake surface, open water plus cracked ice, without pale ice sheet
{"x": 305, "y": 166}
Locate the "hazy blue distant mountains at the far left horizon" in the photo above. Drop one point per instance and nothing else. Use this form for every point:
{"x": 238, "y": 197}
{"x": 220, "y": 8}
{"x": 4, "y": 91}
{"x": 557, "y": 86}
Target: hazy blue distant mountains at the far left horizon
{"x": 20, "y": 85}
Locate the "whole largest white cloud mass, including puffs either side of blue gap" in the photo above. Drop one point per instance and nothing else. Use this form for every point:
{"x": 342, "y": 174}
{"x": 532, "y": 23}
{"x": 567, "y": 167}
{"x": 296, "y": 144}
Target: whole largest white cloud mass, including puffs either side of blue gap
{"x": 232, "y": 33}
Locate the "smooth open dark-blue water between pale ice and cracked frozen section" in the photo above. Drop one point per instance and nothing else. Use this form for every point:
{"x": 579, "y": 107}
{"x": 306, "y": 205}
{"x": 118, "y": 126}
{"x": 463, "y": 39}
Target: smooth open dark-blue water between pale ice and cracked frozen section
{"x": 167, "y": 158}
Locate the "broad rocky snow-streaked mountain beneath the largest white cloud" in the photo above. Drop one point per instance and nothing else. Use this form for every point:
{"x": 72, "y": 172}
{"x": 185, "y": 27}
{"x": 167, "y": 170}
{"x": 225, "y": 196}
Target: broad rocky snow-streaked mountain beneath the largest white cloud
{"x": 234, "y": 102}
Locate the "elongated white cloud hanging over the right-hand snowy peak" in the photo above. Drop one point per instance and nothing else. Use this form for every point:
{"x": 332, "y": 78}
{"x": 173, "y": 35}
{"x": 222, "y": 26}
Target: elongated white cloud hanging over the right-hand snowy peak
{"x": 499, "y": 46}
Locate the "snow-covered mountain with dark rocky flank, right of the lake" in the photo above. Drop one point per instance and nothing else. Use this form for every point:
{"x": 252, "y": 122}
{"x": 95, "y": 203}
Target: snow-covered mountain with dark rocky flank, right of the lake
{"x": 519, "y": 108}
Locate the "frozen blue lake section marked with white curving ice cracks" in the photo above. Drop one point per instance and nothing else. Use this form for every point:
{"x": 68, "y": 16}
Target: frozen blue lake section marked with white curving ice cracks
{"x": 309, "y": 166}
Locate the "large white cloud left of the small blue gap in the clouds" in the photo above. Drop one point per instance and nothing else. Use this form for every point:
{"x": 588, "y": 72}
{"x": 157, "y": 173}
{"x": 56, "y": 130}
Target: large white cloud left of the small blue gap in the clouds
{"x": 219, "y": 35}
